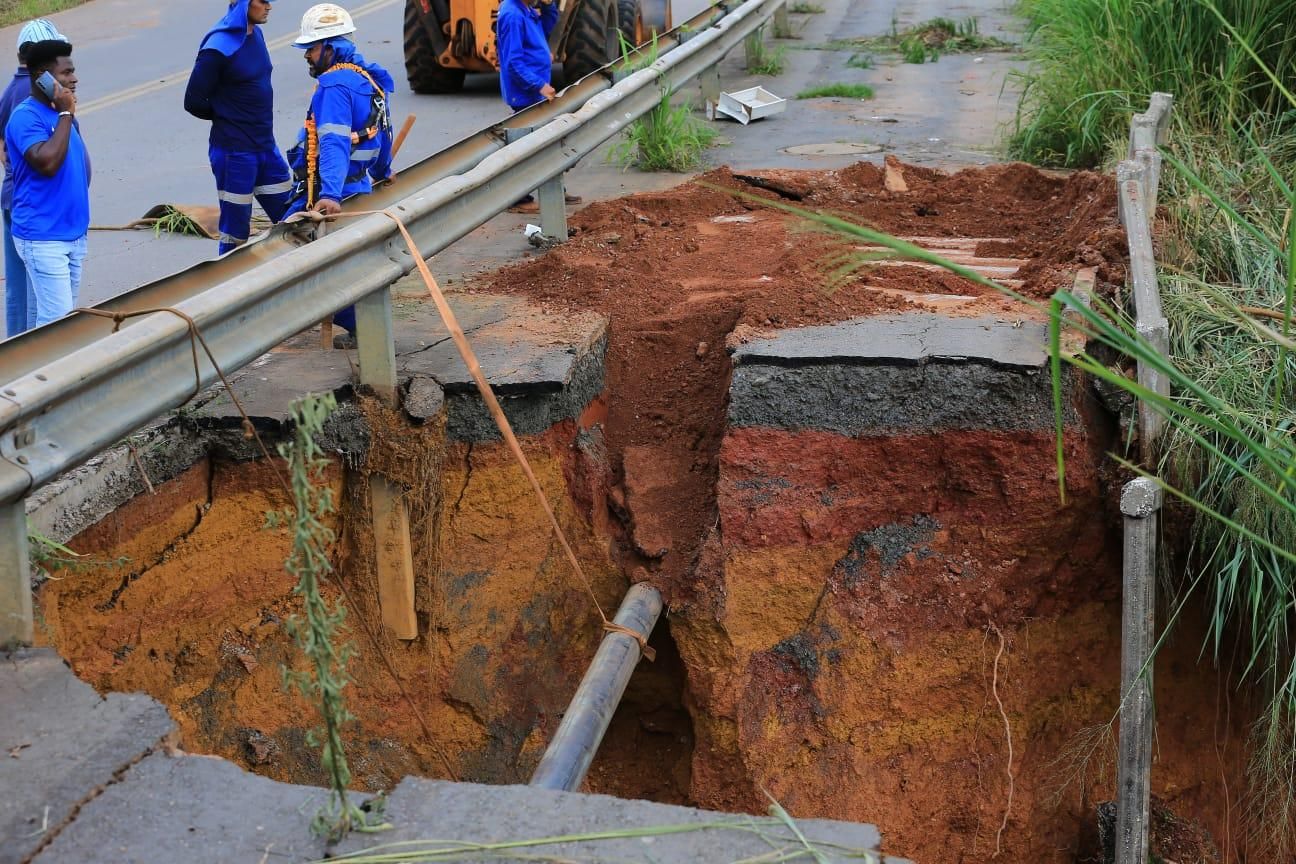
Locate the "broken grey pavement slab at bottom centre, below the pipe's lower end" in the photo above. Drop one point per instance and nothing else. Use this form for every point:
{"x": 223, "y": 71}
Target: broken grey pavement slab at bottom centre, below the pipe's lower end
{"x": 424, "y": 809}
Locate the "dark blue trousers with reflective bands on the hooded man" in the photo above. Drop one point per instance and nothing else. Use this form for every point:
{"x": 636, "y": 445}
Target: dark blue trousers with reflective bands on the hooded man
{"x": 243, "y": 177}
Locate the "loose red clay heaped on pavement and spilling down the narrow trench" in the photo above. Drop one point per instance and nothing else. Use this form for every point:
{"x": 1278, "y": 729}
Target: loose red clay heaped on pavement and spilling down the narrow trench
{"x": 682, "y": 271}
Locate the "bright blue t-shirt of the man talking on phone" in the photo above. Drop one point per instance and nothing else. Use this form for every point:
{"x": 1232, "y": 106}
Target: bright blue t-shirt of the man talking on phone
{"x": 46, "y": 208}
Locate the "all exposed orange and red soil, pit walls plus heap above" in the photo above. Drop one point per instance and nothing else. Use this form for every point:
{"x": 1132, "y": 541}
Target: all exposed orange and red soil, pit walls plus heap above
{"x": 838, "y": 603}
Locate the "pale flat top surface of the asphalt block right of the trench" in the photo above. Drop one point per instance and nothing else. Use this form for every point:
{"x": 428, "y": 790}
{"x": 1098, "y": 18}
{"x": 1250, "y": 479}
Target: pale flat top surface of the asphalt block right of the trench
{"x": 907, "y": 340}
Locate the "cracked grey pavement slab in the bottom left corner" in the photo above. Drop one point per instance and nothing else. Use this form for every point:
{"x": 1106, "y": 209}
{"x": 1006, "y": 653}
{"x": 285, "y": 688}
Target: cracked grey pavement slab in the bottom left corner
{"x": 60, "y": 742}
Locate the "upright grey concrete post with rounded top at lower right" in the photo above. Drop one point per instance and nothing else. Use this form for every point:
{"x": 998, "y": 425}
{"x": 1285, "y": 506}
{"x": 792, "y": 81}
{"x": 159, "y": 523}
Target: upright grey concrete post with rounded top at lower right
{"x": 1141, "y": 502}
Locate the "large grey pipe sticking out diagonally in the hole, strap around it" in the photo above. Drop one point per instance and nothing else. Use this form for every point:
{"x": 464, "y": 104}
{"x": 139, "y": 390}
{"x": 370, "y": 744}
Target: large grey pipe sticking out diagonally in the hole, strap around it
{"x": 568, "y": 758}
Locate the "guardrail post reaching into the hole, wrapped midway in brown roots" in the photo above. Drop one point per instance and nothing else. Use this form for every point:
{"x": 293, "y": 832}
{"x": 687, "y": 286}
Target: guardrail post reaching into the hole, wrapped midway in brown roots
{"x": 395, "y": 564}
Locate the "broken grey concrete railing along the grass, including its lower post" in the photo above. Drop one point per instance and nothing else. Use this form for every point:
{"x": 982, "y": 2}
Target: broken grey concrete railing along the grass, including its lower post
{"x": 1139, "y": 181}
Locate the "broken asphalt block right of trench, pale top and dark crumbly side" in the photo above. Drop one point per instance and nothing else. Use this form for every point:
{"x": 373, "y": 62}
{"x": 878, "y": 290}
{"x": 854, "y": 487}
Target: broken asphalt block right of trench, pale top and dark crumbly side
{"x": 875, "y": 376}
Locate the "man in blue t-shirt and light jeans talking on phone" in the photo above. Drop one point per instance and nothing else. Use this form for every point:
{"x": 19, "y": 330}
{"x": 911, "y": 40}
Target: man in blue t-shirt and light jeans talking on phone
{"x": 51, "y": 182}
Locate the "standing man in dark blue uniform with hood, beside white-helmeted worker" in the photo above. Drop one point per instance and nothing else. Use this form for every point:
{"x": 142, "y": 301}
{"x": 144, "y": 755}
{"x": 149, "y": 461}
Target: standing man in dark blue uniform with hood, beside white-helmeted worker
{"x": 231, "y": 87}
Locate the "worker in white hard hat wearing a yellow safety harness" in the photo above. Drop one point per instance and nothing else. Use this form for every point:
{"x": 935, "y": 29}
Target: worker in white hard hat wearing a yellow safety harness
{"x": 345, "y": 144}
